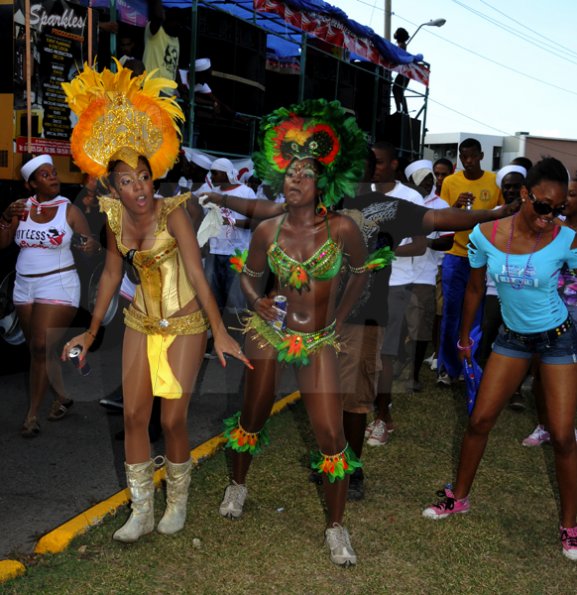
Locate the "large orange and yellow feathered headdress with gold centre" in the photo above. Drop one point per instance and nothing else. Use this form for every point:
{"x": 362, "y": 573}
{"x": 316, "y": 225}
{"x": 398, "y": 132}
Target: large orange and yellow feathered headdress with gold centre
{"x": 122, "y": 117}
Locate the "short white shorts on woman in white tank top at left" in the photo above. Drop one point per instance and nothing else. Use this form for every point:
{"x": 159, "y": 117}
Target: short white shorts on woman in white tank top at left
{"x": 58, "y": 288}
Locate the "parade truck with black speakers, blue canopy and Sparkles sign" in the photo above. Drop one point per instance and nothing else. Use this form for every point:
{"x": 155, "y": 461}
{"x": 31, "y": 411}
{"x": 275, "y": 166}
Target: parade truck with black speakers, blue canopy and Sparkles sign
{"x": 264, "y": 54}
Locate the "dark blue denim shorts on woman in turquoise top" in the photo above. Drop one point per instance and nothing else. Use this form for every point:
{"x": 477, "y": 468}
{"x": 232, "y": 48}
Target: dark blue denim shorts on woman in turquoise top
{"x": 557, "y": 350}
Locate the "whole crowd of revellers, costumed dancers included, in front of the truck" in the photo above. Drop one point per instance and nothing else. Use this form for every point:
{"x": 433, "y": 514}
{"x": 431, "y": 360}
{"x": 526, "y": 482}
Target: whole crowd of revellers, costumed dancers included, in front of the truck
{"x": 345, "y": 265}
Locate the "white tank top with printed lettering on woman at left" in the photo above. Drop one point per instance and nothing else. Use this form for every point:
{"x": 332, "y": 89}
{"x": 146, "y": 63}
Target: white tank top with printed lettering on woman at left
{"x": 44, "y": 247}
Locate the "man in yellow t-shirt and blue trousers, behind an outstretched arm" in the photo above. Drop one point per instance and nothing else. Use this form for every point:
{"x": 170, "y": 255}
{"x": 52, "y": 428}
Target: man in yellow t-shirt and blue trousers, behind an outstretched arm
{"x": 475, "y": 189}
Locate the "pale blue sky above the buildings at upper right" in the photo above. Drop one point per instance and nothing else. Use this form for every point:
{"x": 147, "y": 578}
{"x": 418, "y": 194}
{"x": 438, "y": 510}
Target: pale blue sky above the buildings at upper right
{"x": 496, "y": 67}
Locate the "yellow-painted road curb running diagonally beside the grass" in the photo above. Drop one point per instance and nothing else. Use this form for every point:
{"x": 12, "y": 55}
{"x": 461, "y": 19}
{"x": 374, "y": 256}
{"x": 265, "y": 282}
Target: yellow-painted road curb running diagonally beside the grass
{"x": 59, "y": 539}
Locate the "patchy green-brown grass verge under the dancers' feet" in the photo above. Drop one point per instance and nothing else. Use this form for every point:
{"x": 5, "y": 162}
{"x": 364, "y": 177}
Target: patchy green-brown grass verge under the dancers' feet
{"x": 507, "y": 544}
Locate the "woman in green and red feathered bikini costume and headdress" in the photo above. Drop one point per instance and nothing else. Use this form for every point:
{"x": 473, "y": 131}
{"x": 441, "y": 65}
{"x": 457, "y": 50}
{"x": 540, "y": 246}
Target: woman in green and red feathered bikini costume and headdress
{"x": 314, "y": 153}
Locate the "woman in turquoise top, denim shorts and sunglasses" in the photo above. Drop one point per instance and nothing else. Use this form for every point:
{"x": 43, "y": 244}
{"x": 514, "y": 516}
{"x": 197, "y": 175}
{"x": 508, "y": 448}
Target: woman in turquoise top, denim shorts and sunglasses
{"x": 524, "y": 255}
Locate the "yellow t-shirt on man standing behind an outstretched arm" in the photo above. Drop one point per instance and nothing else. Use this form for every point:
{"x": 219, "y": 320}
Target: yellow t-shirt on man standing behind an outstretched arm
{"x": 487, "y": 196}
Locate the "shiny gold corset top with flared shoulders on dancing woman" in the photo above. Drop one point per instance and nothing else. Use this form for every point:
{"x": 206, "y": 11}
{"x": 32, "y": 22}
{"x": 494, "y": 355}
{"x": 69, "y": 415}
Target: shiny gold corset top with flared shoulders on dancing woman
{"x": 164, "y": 287}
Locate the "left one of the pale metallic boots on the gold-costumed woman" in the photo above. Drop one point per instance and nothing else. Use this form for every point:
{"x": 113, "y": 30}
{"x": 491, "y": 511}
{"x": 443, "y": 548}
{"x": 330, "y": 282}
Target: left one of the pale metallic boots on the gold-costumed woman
{"x": 141, "y": 485}
